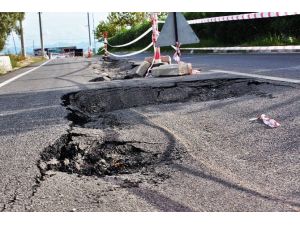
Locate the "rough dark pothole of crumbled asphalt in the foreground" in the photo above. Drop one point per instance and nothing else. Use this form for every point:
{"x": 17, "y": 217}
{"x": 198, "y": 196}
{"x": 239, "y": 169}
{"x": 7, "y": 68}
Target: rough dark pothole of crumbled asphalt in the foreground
{"x": 88, "y": 155}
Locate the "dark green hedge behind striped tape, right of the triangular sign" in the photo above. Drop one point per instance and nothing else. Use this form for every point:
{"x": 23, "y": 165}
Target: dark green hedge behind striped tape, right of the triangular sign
{"x": 244, "y": 31}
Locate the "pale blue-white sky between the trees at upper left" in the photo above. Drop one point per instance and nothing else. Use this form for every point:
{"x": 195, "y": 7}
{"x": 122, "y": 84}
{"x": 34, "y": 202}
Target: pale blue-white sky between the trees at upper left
{"x": 59, "y": 28}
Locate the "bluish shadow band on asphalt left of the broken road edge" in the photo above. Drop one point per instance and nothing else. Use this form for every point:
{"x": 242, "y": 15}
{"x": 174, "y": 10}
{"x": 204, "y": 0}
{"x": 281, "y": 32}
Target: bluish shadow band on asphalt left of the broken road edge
{"x": 29, "y": 111}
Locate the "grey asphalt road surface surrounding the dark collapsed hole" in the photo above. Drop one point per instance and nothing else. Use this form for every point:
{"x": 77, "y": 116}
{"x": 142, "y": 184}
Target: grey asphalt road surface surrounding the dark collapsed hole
{"x": 238, "y": 166}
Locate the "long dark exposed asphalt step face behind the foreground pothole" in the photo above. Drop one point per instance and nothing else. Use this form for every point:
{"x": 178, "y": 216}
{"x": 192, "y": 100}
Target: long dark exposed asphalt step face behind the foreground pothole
{"x": 91, "y": 103}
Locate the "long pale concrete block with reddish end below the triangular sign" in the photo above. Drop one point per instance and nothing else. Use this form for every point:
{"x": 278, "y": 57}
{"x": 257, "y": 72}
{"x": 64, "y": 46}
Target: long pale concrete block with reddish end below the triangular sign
{"x": 172, "y": 70}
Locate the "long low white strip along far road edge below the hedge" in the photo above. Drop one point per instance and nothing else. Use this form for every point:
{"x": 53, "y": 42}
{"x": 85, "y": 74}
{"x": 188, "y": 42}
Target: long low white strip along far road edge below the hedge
{"x": 252, "y": 48}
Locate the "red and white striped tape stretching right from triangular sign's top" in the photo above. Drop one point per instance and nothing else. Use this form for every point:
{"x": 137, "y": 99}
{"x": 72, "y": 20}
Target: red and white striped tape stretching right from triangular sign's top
{"x": 247, "y": 16}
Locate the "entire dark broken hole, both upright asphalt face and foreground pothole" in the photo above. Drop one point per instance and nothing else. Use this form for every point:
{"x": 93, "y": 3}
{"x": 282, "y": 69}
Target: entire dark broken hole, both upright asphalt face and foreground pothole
{"x": 101, "y": 157}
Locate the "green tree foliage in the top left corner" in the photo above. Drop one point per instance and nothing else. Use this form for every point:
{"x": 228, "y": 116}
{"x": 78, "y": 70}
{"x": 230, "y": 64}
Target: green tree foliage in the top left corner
{"x": 8, "y": 23}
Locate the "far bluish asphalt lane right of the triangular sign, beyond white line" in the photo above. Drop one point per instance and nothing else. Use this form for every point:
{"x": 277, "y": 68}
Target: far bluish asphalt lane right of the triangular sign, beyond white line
{"x": 277, "y": 65}
